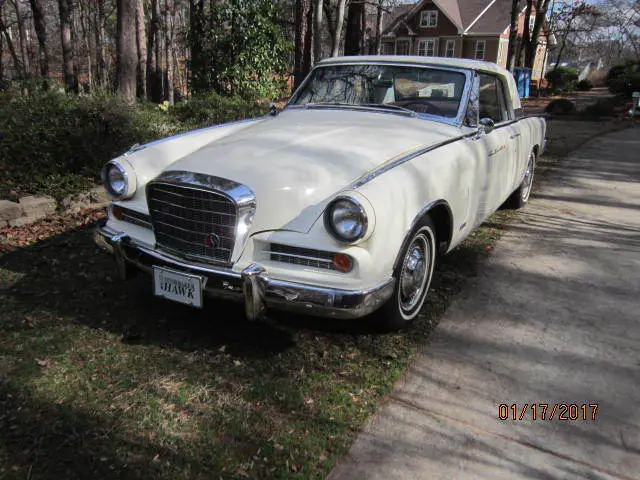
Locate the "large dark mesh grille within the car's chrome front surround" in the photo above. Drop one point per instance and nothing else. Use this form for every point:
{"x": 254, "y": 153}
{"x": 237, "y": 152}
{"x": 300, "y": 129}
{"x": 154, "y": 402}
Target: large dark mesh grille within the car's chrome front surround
{"x": 192, "y": 222}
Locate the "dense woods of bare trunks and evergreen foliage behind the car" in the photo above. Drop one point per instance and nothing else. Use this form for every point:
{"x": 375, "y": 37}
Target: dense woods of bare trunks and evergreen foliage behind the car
{"x": 164, "y": 50}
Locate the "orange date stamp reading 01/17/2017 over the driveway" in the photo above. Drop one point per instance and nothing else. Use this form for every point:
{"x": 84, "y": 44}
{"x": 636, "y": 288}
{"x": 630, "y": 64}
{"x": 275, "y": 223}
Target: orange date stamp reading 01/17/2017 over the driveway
{"x": 548, "y": 411}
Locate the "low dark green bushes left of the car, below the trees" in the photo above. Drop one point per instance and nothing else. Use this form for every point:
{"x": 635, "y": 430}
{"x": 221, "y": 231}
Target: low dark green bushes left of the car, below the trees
{"x": 49, "y": 139}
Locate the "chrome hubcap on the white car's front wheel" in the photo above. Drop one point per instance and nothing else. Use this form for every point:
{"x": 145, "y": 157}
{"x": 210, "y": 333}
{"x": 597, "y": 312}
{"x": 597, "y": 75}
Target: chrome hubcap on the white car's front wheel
{"x": 414, "y": 272}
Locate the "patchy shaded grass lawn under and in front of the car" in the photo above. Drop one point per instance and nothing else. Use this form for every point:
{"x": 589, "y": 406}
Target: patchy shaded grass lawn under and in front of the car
{"x": 100, "y": 379}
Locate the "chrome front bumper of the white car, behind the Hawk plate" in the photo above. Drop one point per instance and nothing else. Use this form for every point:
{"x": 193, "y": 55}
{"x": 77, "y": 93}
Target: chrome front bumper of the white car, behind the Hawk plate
{"x": 252, "y": 286}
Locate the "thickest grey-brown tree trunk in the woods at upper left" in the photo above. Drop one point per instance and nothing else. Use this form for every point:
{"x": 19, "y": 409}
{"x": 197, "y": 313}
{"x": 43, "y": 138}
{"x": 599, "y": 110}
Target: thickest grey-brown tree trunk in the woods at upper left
{"x": 126, "y": 53}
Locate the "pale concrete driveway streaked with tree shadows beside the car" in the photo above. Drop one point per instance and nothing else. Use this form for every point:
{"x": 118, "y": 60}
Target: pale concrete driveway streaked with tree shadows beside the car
{"x": 553, "y": 318}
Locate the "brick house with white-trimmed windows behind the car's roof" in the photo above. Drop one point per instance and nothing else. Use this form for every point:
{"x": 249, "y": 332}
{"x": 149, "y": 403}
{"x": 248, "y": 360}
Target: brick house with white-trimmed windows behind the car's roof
{"x": 477, "y": 29}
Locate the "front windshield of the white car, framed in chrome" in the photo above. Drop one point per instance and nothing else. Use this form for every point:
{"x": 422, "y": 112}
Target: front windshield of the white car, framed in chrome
{"x": 395, "y": 88}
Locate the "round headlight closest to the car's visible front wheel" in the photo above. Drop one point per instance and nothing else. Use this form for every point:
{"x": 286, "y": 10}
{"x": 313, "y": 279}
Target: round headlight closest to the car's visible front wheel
{"x": 346, "y": 219}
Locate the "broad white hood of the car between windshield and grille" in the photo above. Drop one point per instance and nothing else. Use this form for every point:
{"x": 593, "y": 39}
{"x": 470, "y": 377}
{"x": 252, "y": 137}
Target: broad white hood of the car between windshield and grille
{"x": 297, "y": 161}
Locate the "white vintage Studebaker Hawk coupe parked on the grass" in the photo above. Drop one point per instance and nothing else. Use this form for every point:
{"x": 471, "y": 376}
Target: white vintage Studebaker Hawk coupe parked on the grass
{"x": 339, "y": 205}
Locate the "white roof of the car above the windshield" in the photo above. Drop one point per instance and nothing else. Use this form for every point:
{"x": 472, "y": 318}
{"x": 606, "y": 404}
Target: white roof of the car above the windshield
{"x": 464, "y": 63}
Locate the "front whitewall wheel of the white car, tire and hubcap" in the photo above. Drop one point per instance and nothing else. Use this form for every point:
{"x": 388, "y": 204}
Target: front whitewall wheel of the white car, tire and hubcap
{"x": 413, "y": 278}
